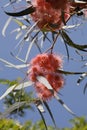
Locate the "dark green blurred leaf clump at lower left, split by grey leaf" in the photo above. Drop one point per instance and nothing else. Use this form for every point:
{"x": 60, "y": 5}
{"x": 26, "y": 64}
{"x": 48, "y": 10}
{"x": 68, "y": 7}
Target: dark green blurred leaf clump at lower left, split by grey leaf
{"x": 19, "y": 96}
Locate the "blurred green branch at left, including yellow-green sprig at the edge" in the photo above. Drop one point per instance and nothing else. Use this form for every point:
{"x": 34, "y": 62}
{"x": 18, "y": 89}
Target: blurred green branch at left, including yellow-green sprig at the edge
{"x": 16, "y": 96}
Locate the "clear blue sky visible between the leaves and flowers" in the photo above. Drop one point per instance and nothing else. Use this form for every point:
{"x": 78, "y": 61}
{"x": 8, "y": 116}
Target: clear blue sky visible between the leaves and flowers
{"x": 72, "y": 94}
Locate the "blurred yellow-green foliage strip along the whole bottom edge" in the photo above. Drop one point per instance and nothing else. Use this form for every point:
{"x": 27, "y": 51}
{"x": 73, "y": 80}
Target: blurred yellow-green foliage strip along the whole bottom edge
{"x": 9, "y": 124}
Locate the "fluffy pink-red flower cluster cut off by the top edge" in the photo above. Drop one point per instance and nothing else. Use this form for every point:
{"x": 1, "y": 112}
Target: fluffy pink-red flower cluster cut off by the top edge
{"x": 51, "y": 14}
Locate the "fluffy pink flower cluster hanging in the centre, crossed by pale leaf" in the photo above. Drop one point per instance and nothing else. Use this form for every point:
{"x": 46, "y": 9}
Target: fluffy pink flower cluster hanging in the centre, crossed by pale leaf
{"x": 46, "y": 65}
